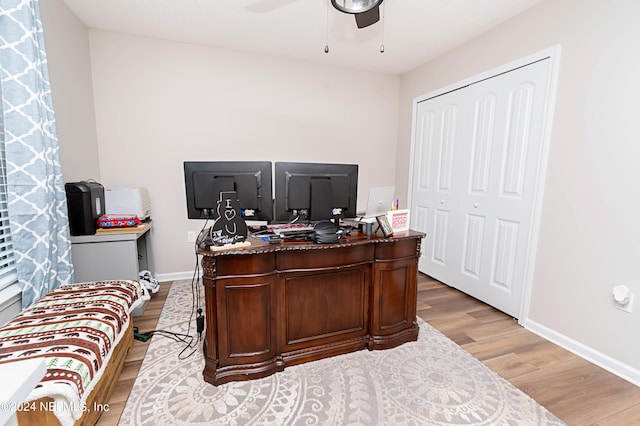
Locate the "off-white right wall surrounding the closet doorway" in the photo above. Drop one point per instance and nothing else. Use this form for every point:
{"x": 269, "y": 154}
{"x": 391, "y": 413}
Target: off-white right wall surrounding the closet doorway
{"x": 589, "y": 240}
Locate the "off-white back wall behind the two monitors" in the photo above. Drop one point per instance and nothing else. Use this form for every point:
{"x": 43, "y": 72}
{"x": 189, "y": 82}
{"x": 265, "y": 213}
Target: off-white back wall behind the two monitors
{"x": 161, "y": 103}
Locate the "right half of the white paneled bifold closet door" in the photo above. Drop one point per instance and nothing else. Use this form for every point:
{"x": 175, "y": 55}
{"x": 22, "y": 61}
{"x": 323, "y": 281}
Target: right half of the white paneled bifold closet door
{"x": 501, "y": 171}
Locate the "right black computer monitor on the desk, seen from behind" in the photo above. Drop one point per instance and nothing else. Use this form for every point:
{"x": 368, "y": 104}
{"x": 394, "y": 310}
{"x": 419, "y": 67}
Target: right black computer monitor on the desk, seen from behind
{"x": 316, "y": 191}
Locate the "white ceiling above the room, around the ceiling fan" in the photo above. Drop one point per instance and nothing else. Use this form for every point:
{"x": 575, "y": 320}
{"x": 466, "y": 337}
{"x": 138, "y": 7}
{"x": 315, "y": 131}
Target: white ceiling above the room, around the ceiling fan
{"x": 412, "y": 31}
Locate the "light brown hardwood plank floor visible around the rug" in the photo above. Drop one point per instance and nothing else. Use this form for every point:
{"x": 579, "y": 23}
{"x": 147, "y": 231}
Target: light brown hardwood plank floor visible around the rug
{"x": 575, "y": 390}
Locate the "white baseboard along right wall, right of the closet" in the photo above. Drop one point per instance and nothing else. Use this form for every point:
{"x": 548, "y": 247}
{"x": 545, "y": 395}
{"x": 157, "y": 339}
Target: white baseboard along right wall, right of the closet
{"x": 612, "y": 365}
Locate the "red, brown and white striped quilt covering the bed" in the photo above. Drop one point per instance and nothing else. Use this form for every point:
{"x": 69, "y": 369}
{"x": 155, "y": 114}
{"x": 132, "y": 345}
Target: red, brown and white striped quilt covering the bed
{"x": 75, "y": 328}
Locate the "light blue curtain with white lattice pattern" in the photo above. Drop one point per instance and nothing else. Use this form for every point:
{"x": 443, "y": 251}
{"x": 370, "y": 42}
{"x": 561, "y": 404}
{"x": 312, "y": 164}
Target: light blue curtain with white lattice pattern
{"x": 37, "y": 205}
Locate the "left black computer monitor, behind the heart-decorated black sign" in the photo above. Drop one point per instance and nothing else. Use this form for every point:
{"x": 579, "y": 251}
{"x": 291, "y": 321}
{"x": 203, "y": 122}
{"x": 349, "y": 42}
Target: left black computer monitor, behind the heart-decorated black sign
{"x": 250, "y": 180}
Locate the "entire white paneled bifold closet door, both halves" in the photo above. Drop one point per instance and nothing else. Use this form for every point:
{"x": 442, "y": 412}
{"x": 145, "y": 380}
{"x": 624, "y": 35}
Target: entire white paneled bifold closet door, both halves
{"x": 475, "y": 174}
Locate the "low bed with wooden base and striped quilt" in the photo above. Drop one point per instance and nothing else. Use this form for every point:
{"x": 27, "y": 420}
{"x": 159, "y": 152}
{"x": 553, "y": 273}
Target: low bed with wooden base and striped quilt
{"x": 84, "y": 332}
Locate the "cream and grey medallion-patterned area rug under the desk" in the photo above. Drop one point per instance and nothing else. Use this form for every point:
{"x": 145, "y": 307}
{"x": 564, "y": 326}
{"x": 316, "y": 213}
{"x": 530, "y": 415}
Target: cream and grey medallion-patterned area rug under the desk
{"x": 429, "y": 382}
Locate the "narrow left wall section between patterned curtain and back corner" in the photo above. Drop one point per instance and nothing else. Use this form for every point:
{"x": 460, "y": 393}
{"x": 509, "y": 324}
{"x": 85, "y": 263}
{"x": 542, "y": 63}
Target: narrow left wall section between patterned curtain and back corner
{"x": 67, "y": 44}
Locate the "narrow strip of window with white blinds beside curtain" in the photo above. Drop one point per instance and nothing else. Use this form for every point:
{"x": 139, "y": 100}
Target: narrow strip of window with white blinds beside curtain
{"x": 8, "y": 273}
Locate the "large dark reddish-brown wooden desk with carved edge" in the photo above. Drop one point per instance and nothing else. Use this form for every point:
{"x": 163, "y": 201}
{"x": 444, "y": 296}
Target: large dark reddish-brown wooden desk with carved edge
{"x": 271, "y": 305}
